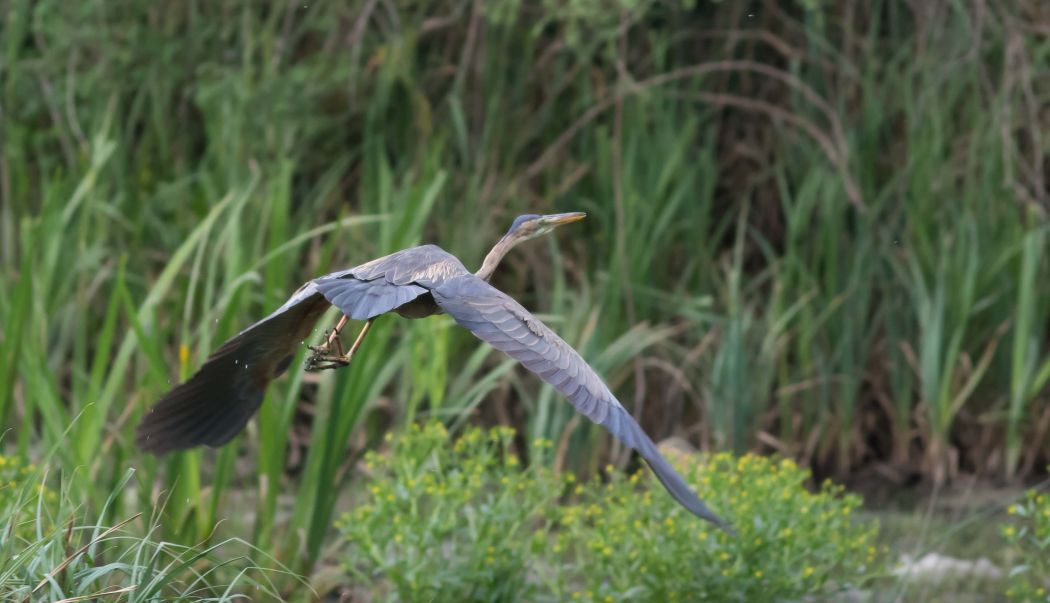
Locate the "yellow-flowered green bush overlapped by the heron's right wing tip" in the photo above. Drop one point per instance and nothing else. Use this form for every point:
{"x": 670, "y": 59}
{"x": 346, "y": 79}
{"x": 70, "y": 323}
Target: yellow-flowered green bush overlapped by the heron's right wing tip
{"x": 625, "y": 543}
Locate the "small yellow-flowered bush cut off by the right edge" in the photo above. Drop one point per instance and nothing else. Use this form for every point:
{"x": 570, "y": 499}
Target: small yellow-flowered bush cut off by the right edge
{"x": 1030, "y": 539}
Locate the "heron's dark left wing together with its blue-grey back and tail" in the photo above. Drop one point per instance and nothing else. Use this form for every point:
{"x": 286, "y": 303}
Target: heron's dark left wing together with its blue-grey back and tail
{"x": 216, "y": 404}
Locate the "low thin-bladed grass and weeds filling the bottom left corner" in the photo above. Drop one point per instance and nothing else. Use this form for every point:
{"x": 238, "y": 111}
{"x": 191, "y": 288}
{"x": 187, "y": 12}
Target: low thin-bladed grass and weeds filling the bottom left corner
{"x": 53, "y": 550}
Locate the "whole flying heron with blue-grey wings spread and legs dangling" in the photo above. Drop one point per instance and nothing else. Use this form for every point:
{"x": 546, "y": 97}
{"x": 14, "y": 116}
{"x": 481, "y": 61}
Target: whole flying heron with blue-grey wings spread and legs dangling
{"x": 216, "y": 404}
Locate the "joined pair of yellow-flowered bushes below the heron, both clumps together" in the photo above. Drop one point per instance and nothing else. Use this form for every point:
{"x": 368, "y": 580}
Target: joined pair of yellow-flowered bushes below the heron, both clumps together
{"x": 468, "y": 523}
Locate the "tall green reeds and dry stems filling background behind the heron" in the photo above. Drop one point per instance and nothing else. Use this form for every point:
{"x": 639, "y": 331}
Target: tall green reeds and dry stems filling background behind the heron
{"x": 815, "y": 228}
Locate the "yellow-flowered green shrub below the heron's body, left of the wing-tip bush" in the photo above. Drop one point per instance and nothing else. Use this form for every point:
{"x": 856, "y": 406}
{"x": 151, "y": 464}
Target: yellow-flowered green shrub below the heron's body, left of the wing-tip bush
{"x": 451, "y": 523}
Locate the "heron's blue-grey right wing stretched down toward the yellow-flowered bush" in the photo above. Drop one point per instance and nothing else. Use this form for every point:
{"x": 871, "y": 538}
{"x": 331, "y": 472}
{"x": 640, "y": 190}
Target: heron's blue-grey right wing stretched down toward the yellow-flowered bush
{"x": 495, "y": 318}
